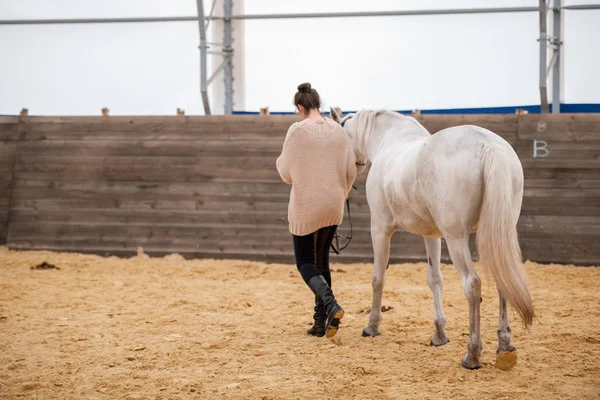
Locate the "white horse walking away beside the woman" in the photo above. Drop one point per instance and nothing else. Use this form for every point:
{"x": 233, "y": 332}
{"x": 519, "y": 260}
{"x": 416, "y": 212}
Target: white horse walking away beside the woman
{"x": 458, "y": 181}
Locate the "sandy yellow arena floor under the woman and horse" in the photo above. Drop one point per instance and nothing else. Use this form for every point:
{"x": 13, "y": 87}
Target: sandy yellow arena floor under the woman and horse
{"x": 166, "y": 328}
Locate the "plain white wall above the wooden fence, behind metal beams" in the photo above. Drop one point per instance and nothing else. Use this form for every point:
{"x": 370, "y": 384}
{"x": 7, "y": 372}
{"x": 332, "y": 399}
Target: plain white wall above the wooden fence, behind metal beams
{"x": 397, "y": 62}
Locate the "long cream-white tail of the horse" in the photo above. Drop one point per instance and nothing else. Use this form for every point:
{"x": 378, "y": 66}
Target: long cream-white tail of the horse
{"x": 497, "y": 239}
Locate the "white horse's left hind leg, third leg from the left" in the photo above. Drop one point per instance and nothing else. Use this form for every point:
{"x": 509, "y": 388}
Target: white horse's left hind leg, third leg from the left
{"x": 461, "y": 257}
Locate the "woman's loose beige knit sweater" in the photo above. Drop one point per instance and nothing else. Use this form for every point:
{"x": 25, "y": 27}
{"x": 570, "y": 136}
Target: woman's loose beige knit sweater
{"x": 318, "y": 161}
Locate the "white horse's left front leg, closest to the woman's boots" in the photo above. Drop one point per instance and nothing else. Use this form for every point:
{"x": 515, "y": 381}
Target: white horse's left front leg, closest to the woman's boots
{"x": 381, "y": 250}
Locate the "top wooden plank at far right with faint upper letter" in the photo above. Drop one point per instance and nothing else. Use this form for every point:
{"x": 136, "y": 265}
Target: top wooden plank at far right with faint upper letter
{"x": 560, "y": 127}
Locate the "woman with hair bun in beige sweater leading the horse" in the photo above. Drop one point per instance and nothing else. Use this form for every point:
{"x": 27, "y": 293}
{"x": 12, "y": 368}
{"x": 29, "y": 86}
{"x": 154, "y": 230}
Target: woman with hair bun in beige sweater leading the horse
{"x": 318, "y": 161}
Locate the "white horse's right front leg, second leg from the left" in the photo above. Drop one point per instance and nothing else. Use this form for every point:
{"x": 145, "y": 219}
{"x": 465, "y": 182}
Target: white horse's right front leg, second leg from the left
{"x": 436, "y": 283}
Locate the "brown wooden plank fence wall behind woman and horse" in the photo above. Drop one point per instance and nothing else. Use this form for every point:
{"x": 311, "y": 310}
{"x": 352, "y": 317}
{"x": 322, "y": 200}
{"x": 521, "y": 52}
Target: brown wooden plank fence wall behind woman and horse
{"x": 208, "y": 187}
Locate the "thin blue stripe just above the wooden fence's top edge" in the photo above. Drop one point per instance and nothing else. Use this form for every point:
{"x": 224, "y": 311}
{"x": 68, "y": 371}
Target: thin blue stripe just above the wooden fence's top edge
{"x": 564, "y": 108}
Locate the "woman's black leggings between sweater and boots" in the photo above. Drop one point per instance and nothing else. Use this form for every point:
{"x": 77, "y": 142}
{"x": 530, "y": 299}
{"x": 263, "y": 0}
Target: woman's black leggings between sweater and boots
{"x": 312, "y": 253}
